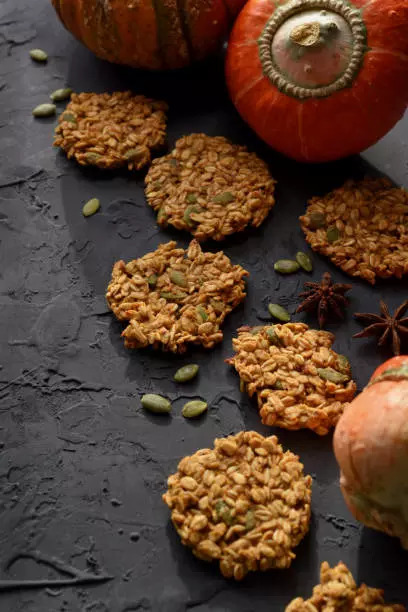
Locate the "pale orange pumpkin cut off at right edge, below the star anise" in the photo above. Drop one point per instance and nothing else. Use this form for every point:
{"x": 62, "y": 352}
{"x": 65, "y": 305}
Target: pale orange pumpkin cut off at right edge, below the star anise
{"x": 371, "y": 447}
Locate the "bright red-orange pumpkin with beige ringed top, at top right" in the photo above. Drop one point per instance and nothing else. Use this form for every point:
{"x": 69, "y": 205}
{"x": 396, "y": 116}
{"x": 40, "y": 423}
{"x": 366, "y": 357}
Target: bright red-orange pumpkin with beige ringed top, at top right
{"x": 320, "y": 79}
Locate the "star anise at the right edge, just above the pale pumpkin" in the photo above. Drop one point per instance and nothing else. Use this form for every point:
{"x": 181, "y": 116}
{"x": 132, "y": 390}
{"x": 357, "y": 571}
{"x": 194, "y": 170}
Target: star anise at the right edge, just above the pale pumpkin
{"x": 390, "y": 328}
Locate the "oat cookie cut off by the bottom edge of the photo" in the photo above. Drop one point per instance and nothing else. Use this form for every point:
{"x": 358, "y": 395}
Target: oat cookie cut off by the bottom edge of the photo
{"x": 337, "y": 592}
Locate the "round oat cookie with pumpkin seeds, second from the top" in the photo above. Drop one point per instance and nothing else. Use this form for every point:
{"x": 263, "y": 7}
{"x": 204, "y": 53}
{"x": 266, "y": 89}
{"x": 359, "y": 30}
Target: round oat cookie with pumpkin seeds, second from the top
{"x": 210, "y": 187}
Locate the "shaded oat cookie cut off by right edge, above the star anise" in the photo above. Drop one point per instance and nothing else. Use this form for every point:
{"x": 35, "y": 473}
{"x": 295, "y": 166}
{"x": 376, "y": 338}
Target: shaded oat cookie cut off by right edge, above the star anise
{"x": 362, "y": 227}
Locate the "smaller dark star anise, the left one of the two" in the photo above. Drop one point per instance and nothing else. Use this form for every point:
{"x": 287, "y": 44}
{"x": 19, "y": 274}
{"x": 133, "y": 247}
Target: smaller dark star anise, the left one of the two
{"x": 326, "y": 298}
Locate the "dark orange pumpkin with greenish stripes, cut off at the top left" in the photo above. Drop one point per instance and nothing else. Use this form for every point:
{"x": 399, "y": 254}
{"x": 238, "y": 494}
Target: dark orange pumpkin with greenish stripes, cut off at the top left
{"x": 149, "y": 34}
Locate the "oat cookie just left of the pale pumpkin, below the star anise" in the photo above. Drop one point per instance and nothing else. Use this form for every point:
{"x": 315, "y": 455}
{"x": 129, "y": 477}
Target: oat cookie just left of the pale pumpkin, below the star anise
{"x": 300, "y": 382}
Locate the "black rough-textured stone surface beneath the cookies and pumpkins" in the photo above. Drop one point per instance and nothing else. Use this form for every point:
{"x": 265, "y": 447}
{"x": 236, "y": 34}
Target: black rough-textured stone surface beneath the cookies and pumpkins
{"x": 82, "y": 468}
